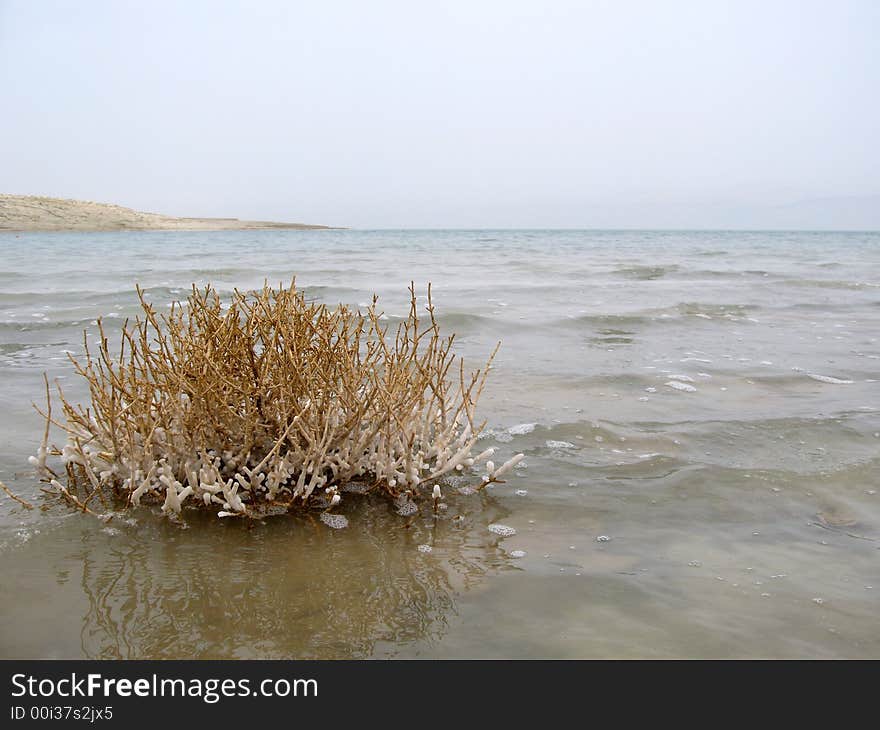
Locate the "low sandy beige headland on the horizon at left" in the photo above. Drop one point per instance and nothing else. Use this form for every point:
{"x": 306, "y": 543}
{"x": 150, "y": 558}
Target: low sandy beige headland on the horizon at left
{"x": 36, "y": 213}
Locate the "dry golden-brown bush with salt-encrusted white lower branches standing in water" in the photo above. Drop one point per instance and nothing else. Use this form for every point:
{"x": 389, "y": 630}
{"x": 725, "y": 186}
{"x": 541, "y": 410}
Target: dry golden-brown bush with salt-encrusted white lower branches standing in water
{"x": 269, "y": 404}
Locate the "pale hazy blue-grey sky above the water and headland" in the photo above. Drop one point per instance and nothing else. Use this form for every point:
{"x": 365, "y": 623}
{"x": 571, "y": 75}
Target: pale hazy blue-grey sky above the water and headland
{"x": 480, "y": 113}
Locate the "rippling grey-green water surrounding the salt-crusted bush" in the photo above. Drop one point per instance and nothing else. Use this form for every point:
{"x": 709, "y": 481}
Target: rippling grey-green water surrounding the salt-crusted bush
{"x": 708, "y": 402}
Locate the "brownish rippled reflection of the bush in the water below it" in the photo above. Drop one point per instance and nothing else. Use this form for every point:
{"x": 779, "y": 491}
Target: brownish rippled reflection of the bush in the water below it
{"x": 286, "y": 588}
